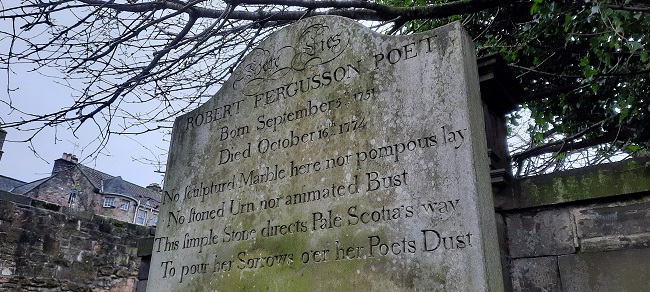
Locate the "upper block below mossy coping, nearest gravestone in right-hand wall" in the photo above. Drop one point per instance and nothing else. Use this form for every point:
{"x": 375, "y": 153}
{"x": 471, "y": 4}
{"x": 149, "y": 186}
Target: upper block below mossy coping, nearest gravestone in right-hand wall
{"x": 540, "y": 233}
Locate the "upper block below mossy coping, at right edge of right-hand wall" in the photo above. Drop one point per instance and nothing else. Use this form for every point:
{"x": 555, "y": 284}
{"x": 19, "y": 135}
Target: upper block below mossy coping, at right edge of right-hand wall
{"x": 614, "y": 226}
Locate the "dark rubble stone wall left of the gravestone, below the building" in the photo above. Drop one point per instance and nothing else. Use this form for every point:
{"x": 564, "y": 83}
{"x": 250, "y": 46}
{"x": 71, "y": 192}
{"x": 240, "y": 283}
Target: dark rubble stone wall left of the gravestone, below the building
{"x": 44, "y": 247}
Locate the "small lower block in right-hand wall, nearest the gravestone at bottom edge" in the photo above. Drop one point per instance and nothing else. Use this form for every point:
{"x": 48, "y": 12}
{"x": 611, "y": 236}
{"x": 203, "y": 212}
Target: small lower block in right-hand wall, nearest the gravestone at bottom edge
{"x": 535, "y": 274}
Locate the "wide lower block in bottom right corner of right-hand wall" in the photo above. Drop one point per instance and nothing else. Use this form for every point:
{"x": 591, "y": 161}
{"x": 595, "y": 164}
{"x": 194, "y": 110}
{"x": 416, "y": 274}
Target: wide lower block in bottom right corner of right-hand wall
{"x": 618, "y": 271}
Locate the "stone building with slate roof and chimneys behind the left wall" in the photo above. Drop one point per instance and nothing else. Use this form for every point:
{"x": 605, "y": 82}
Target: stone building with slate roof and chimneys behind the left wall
{"x": 76, "y": 186}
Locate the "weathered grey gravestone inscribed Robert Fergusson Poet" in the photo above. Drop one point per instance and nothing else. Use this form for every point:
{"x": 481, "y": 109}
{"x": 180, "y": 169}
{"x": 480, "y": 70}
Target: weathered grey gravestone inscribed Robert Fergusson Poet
{"x": 333, "y": 159}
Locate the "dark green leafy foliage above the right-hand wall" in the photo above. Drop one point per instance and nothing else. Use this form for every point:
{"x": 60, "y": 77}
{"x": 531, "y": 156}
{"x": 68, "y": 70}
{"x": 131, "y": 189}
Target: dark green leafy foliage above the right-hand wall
{"x": 584, "y": 64}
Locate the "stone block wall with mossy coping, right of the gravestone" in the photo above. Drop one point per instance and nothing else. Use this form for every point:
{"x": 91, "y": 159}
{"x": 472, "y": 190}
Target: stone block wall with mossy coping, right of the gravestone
{"x": 580, "y": 230}
